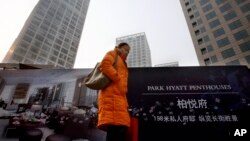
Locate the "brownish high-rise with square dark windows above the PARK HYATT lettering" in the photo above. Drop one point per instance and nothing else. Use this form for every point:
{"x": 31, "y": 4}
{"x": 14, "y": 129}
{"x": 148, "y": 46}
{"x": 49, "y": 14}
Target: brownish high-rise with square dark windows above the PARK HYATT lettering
{"x": 220, "y": 30}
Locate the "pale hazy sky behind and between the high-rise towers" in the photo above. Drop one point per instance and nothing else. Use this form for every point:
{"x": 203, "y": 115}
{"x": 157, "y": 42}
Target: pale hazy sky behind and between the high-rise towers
{"x": 162, "y": 21}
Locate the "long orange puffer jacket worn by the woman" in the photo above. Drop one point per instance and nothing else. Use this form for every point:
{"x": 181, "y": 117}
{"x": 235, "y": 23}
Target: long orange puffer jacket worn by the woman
{"x": 112, "y": 101}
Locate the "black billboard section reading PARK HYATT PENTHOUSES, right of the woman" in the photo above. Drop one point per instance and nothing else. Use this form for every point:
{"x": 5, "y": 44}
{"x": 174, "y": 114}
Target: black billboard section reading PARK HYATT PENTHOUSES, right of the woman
{"x": 192, "y": 103}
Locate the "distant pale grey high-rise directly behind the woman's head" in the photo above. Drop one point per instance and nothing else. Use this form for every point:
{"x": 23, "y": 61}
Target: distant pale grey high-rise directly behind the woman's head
{"x": 139, "y": 55}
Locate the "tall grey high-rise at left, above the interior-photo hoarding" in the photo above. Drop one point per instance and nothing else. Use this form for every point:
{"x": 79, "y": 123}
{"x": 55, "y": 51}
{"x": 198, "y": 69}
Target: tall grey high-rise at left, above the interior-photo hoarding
{"x": 51, "y": 34}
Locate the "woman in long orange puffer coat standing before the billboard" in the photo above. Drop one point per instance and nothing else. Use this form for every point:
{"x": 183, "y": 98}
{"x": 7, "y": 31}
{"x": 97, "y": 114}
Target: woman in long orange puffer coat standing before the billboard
{"x": 113, "y": 115}
